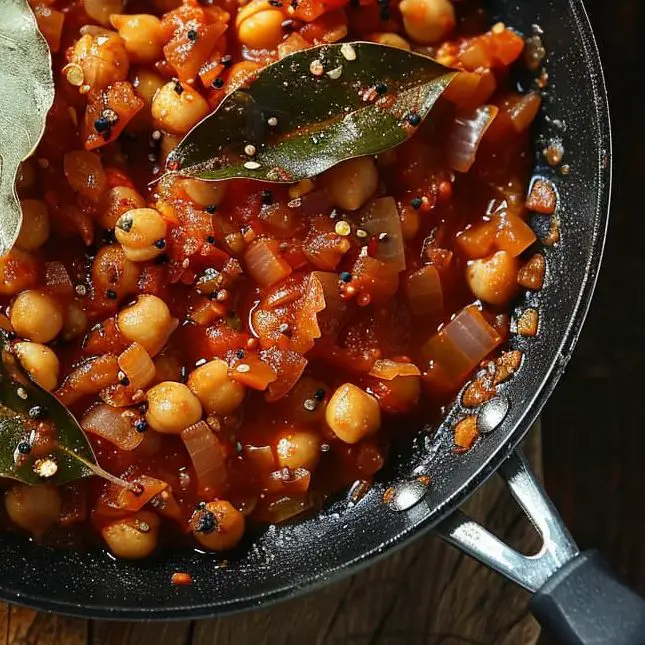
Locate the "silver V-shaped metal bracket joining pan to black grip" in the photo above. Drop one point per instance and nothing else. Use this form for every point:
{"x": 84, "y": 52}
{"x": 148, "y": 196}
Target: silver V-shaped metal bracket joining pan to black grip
{"x": 528, "y": 571}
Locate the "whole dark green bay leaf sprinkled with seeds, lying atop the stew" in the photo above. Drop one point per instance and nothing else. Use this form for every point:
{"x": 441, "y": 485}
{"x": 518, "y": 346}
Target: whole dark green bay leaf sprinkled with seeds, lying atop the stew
{"x": 311, "y": 110}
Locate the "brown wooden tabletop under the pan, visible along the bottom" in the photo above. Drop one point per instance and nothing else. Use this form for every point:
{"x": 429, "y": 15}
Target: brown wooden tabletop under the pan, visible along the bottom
{"x": 425, "y": 594}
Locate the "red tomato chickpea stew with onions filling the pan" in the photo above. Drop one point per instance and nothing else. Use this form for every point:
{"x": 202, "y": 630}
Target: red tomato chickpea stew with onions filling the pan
{"x": 242, "y": 350}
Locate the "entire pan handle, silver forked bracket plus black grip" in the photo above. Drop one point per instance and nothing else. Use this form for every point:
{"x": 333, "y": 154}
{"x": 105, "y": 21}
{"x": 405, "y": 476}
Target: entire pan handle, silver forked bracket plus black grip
{"x": 576, "y": 596}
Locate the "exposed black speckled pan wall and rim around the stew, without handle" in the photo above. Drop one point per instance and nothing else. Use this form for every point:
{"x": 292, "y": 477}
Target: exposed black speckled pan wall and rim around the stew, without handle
{"x": 291, "y": 558}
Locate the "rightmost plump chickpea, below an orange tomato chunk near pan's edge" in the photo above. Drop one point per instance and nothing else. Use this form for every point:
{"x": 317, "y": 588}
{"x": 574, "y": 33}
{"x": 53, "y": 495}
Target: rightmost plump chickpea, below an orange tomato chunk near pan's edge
{"x": 493, "y": 279}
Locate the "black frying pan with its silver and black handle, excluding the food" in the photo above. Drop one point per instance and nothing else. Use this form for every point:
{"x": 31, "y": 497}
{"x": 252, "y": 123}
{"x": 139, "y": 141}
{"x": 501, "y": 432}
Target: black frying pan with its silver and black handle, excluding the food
{"x": 574, "y": 593}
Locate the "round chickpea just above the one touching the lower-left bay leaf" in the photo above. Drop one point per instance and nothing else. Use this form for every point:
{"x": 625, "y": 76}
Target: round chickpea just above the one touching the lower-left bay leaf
{"x": 36, "y": 316}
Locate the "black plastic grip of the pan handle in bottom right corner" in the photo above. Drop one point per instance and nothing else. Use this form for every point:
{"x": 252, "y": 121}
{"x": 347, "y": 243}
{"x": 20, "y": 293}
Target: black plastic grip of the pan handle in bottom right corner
{"x": 584, "y": 603}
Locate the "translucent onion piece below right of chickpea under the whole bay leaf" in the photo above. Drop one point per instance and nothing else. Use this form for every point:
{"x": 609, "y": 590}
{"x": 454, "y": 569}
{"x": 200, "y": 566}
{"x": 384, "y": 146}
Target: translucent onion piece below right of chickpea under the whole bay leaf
{"x": 381, "y": 220}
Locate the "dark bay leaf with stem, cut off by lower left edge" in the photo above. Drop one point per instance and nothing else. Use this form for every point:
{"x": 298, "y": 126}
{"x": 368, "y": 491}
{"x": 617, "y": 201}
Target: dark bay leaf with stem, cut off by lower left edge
{"x": 28, "y": 415}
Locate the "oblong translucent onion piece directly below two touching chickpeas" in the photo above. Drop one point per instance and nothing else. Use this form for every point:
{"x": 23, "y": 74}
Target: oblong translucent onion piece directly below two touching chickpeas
{"x": 208, "y": 457}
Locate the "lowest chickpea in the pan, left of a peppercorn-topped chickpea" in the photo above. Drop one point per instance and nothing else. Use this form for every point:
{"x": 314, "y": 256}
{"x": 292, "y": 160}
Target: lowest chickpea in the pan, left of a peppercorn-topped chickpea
{"x": 134, "y": 537}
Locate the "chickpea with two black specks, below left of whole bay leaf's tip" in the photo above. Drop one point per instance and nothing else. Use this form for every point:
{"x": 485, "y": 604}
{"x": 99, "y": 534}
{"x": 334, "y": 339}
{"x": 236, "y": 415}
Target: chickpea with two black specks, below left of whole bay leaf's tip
{"x": 141, "y": 232}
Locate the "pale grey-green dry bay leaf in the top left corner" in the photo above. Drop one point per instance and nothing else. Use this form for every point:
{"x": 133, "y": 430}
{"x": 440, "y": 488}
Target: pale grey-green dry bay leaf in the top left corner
{"x": 27, "y": 95}
